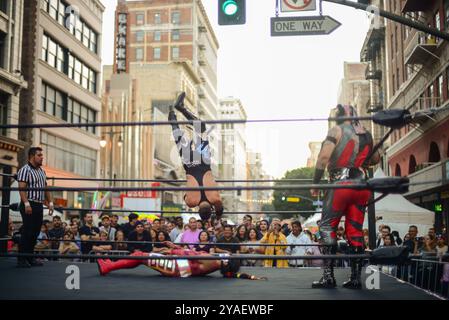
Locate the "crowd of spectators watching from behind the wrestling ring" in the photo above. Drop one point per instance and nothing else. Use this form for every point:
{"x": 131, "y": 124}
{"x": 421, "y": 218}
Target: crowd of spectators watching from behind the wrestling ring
{"x": 281, "y": 237}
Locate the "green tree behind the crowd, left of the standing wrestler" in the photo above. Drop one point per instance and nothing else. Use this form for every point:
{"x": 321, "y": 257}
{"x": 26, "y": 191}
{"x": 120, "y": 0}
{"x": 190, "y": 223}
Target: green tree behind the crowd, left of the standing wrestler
{"x": 304, "y": 204}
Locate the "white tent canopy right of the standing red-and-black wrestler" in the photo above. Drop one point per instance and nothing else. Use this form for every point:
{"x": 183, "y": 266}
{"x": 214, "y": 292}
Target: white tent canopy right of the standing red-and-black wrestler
{"x": 399, "y": 213}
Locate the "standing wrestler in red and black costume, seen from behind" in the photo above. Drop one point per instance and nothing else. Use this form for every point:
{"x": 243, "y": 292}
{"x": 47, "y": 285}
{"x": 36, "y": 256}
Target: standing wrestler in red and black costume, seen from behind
{"x": 346, "y": 153}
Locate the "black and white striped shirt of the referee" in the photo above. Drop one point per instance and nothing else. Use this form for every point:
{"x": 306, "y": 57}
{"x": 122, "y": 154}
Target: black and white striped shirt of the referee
{"x": 34, "y": 178}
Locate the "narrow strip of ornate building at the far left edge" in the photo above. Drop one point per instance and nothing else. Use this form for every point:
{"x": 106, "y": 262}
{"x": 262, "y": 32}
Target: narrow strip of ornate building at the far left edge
{"x": 11, "y": 81}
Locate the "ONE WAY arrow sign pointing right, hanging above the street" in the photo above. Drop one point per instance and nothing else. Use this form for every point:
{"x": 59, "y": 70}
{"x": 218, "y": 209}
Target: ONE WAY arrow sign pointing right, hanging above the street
{"x": 303, "y": 26}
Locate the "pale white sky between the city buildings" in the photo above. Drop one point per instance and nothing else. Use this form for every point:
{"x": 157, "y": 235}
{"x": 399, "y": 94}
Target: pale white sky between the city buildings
{"x": 277, "y": 77}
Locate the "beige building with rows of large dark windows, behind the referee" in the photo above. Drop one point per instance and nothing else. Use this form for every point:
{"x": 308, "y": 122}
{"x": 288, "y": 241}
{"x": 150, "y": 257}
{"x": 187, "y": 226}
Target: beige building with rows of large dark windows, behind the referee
{"x": 62, "y": 66}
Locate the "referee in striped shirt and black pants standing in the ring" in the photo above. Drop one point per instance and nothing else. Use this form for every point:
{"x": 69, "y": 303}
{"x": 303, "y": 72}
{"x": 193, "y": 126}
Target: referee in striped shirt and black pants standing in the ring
{"x": 31, "y": 208}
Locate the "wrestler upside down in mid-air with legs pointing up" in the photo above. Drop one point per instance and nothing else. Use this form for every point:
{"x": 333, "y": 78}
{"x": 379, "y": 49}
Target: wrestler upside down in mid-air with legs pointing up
{"x": 196, "y": 159}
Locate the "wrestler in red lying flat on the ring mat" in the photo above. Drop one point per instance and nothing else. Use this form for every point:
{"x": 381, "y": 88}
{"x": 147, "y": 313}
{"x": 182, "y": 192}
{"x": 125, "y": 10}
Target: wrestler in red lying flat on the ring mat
{"x": 180, "y": 267}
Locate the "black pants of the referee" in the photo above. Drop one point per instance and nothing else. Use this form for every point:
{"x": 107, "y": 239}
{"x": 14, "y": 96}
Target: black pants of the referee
{"x": 31, "y": 226}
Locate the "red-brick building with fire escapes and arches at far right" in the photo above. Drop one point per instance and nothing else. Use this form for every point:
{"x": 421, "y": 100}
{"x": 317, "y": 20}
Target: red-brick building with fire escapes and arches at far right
{"x": 418, "y": 69}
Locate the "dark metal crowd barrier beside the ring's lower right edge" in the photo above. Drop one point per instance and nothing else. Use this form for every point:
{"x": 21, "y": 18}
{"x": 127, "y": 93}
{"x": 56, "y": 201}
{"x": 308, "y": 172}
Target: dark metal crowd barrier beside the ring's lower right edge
{"x": 428, "y": 273}
